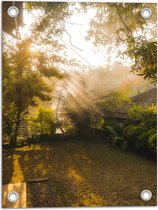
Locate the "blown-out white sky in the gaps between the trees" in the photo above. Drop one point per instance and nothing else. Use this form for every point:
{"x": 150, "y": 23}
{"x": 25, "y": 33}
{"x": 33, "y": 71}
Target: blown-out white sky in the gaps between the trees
{"x": 102, "y": 56}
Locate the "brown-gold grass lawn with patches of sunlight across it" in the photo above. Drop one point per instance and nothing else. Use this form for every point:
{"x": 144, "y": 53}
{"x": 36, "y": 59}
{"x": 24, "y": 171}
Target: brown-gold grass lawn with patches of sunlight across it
{"x": 85, "y": 173}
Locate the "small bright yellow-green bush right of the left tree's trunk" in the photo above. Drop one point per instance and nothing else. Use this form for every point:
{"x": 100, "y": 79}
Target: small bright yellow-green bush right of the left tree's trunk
{"x": 43, "y": 122}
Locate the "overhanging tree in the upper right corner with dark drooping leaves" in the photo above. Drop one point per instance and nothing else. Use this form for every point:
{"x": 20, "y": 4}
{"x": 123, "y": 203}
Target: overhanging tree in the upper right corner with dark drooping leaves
{"x": 122, "y": 22}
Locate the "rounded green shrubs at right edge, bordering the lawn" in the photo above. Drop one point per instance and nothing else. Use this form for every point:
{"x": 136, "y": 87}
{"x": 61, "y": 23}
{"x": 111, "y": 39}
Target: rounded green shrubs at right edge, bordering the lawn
{"x": 142, "y": 136}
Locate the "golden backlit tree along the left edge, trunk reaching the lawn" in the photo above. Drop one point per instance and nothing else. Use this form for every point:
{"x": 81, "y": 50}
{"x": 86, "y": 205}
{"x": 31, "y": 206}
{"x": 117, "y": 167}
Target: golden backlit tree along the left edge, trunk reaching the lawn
{"x": 23, "y": 83}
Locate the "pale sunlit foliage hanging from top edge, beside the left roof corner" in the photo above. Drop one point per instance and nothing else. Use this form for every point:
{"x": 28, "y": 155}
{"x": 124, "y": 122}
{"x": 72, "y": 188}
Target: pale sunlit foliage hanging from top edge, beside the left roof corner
{"x": 48, "y": 25}
